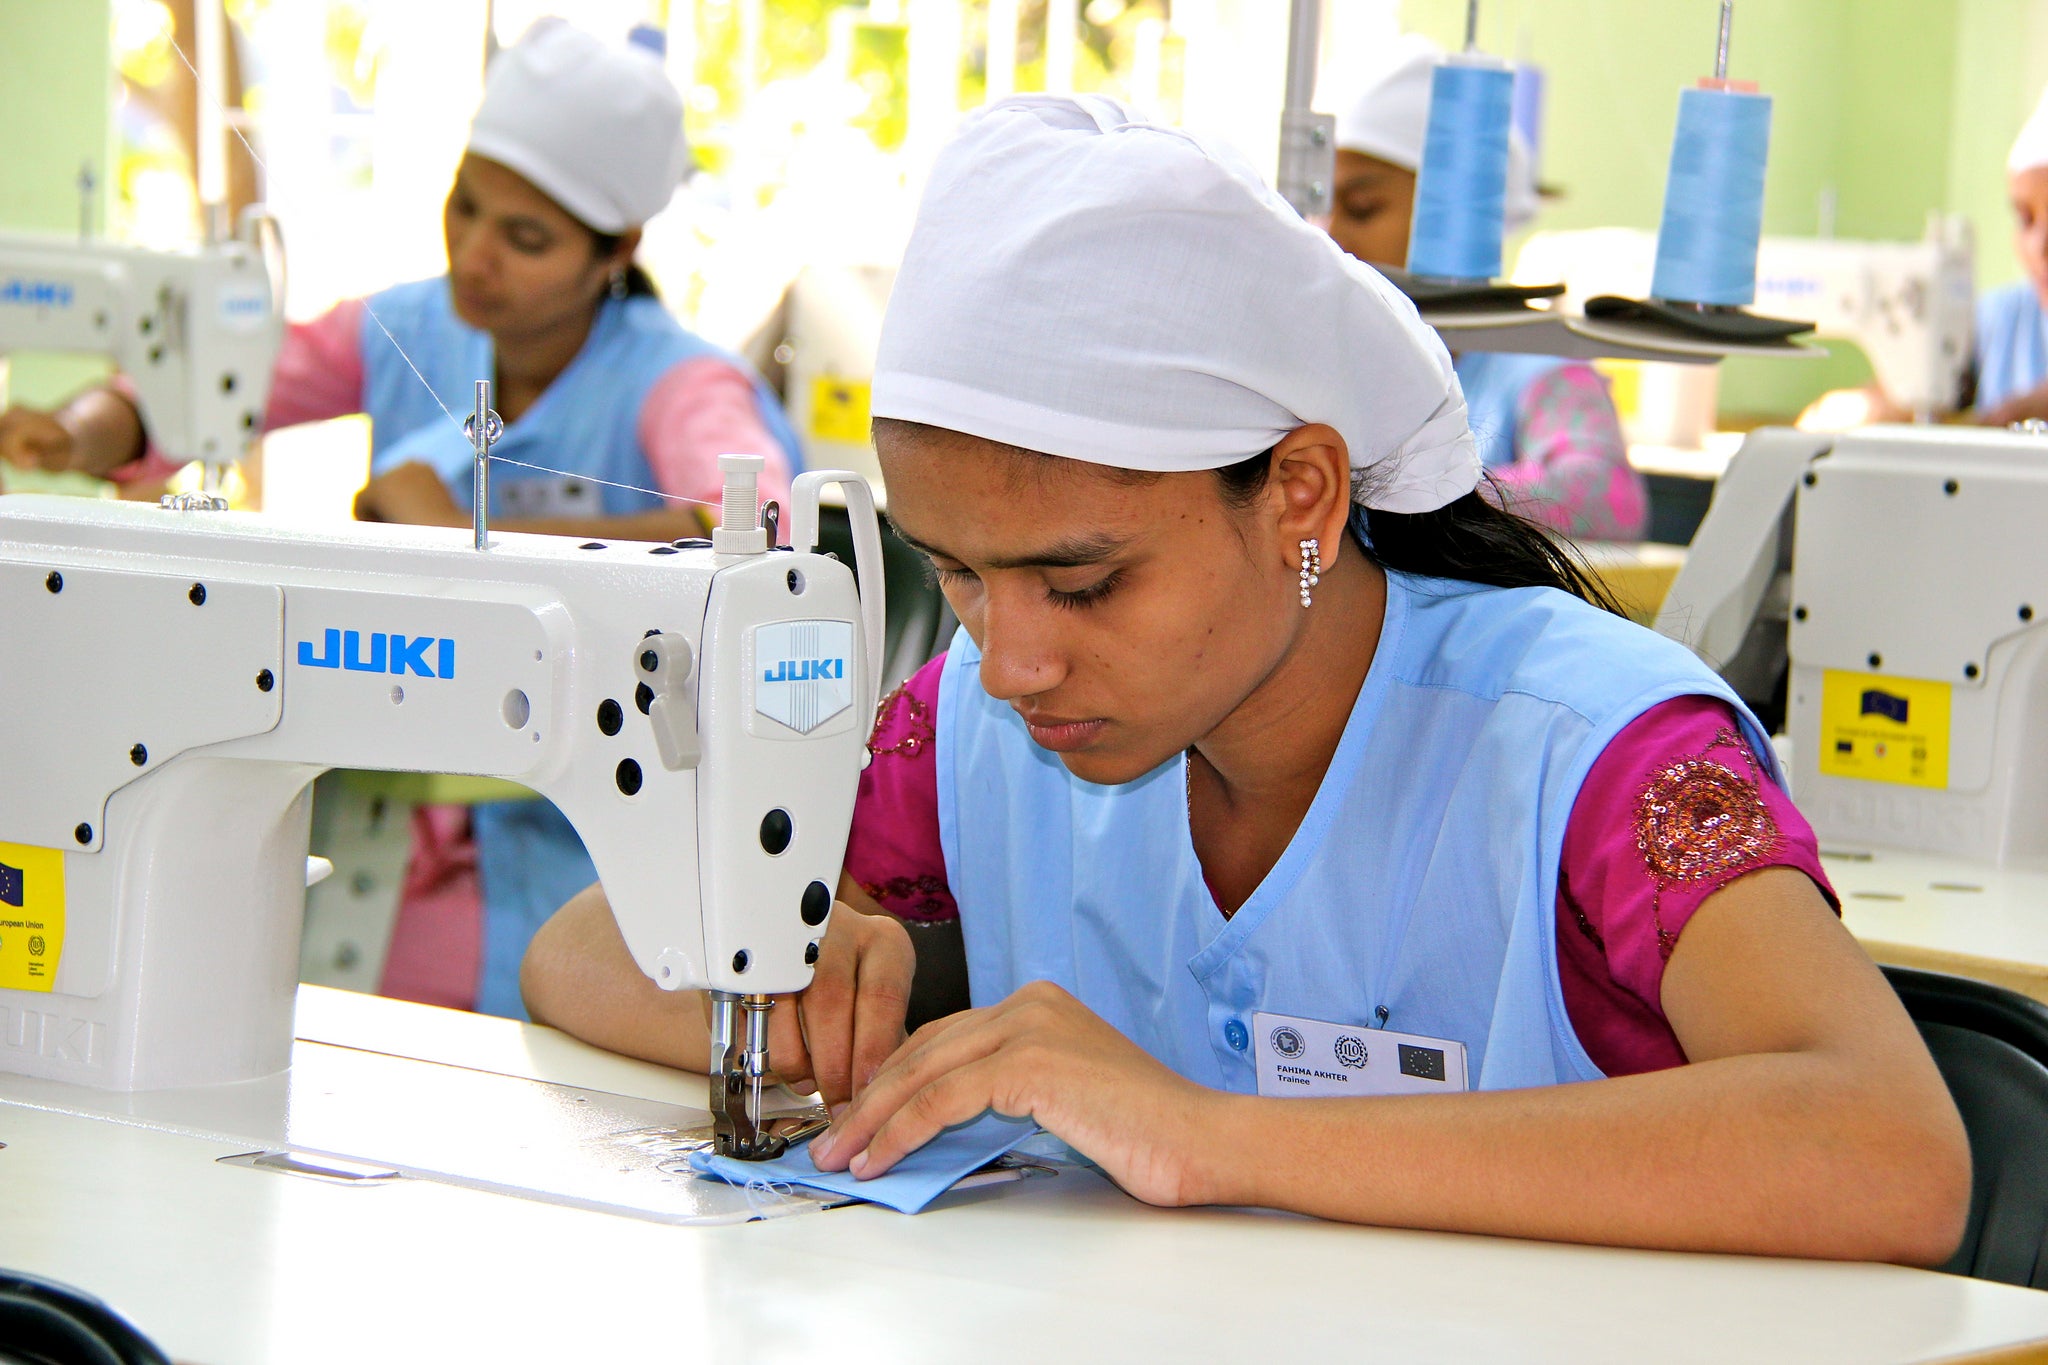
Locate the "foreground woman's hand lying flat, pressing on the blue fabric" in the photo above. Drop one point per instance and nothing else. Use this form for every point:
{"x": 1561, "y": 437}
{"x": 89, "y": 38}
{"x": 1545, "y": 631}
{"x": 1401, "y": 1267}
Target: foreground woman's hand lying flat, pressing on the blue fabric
{"x": 1041, "y": 1055}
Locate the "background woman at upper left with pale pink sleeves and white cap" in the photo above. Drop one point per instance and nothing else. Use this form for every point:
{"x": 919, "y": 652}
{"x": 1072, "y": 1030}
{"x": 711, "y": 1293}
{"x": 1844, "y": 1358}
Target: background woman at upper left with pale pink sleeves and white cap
{"x": 572, "y": 150}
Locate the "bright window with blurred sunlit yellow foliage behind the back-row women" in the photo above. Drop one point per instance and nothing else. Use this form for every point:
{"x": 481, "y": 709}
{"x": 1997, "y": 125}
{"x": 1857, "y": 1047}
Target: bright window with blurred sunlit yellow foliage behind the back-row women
{"x": 800, "y": 112}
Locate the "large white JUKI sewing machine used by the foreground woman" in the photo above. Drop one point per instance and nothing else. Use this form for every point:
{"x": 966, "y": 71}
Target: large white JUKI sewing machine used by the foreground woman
{"x": 177, "y": 678}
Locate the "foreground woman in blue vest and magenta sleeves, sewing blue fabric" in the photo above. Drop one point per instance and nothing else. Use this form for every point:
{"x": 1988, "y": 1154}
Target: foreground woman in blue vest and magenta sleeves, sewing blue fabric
{"x": 1302, "y": 807}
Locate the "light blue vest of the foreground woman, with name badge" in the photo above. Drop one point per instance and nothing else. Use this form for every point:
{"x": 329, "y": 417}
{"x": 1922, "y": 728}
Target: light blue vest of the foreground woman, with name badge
{"x": 1422, "y": 881}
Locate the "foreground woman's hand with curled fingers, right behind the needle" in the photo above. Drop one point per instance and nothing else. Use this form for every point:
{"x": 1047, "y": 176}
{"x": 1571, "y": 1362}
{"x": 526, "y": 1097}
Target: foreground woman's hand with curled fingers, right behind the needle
{"x": 839, "y": 1034}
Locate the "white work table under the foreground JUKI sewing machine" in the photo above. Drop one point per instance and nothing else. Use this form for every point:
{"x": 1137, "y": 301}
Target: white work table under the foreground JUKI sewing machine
{"x": 228, "y": 1266}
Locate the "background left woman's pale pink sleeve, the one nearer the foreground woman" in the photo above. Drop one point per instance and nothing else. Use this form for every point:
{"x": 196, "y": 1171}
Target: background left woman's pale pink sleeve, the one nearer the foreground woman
{"x": 695, "y": 414}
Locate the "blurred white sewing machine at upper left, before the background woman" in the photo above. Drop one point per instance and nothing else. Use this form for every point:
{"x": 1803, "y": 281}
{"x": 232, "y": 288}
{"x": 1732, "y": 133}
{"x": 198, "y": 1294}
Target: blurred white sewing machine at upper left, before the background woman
{"x": 198, "y": 333}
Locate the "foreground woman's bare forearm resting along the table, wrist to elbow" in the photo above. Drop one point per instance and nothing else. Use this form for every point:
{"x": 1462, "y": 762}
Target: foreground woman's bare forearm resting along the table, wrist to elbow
{"x": 1770, "y": 1153}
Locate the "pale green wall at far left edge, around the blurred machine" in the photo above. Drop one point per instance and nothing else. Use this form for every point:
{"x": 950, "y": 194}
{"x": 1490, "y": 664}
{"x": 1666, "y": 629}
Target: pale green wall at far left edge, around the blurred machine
{"x": 56, "y": 114}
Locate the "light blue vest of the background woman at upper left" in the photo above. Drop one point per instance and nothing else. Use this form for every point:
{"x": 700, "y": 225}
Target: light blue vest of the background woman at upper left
{"x": 529, "y": 858}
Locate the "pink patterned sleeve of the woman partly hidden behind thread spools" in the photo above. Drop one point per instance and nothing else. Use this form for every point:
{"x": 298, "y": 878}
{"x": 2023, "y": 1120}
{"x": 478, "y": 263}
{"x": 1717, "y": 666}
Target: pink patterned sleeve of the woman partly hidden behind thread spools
{"x": 1572, "y": 468}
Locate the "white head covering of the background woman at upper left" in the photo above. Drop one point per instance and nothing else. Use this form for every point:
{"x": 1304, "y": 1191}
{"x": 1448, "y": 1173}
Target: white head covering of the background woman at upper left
{"x": 595, "y": 128}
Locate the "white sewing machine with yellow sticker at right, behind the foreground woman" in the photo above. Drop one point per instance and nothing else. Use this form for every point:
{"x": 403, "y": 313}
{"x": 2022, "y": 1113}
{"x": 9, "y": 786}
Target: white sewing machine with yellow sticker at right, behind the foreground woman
{"x": 1904, "y": 574}
